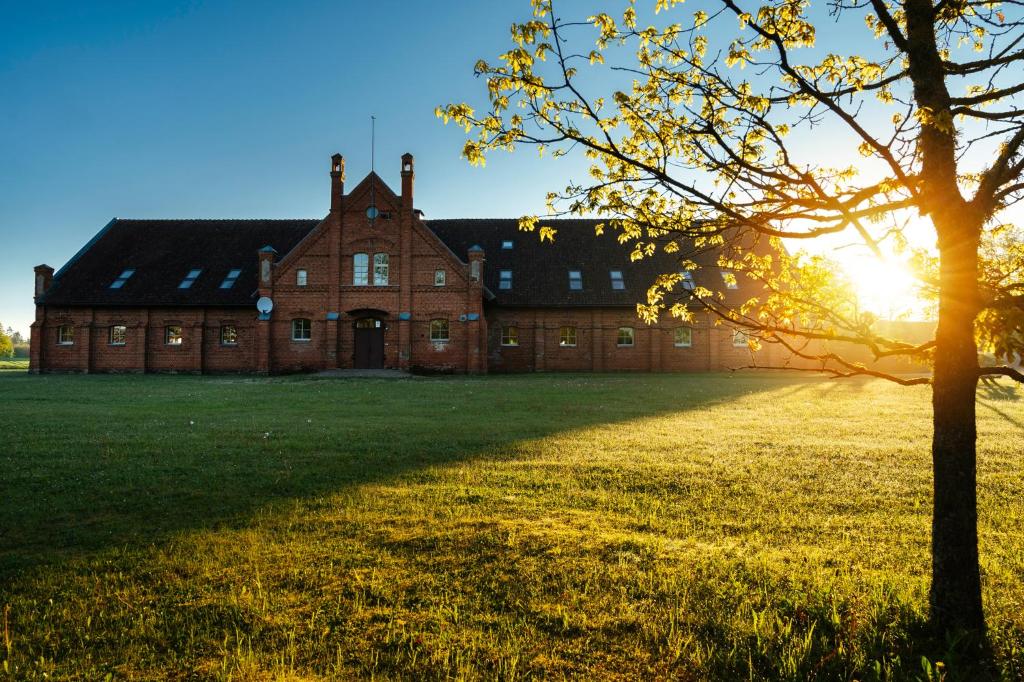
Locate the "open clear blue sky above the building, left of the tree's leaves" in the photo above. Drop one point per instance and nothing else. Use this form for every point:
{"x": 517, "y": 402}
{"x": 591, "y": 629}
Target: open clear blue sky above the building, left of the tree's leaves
{"x": 224, "y": 109}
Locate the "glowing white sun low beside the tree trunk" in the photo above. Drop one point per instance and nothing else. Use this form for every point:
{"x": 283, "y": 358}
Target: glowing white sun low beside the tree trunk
{"x": 884, "y": 286}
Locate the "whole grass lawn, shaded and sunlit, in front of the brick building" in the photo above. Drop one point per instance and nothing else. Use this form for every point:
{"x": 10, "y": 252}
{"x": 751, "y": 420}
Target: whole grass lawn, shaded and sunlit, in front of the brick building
{"x": 504, "y": 528}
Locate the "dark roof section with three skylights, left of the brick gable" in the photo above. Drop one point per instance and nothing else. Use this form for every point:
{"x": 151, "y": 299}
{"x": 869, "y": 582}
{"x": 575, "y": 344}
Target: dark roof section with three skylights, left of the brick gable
{"x": 162, "y": 253}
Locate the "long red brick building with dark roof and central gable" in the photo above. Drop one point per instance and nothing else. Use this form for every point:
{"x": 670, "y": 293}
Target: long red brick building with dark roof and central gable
{"x": 372, "y": 285}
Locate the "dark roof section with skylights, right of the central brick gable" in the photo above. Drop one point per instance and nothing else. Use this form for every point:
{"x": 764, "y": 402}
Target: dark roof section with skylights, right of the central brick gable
{"x": 541, "y": 271}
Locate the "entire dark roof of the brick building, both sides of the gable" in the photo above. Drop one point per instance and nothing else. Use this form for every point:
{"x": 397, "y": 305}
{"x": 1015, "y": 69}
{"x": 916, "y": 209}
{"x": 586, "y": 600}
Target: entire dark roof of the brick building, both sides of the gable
{"x": 162, "y": 252}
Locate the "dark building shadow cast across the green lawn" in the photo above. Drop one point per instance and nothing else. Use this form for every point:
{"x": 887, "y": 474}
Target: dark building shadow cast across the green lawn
{"x": 100, "y": 461}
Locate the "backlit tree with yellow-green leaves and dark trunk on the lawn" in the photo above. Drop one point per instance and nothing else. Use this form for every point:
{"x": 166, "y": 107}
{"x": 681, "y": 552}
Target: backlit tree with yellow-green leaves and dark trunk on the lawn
{"x": 707, "y": 133}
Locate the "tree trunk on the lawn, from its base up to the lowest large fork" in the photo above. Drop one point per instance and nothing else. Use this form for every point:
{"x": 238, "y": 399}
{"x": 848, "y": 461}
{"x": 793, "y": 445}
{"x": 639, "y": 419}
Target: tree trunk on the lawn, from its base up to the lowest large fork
{"x": 956, "y": 592}
